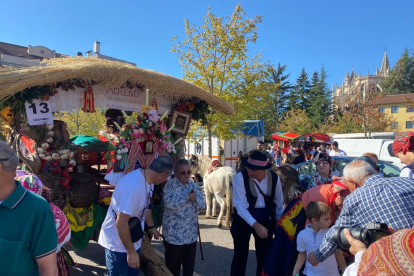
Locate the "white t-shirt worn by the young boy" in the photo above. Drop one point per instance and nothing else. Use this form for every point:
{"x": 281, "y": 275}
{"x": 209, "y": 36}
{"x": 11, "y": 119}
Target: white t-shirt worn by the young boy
{"x": 309, "y": 241}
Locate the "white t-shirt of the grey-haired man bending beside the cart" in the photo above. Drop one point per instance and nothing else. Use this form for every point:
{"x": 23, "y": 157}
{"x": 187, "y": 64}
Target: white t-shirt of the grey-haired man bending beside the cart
{"x": 131, "y": 196}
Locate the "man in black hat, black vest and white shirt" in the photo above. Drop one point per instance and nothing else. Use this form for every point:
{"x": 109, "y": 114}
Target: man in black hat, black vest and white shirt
{"x": 258, "y": 203}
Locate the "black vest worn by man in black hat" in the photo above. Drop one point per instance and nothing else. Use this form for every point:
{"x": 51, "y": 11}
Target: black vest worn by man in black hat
{"x": 249, "y": 186}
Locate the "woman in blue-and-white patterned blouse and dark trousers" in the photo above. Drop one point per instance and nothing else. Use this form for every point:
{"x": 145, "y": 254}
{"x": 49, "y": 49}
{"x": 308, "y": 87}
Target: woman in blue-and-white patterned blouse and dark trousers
{"x": 182, "y": 201}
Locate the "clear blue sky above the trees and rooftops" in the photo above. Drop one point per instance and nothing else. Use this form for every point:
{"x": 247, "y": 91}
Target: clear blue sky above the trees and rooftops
{"x": 299, "y": 33}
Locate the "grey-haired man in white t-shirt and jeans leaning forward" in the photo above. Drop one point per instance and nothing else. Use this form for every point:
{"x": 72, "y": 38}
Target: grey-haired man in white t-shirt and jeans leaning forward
{"x": 131, "y": 199}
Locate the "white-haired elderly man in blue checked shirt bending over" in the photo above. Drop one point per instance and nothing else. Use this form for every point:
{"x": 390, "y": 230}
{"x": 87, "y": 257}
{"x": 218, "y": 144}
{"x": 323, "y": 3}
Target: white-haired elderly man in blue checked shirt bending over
{"x": 373, "y": 198}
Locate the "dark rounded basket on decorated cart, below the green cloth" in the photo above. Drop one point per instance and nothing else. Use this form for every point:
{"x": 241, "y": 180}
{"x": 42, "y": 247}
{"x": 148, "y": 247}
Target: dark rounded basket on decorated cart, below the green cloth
{"x": 83, "y": 190}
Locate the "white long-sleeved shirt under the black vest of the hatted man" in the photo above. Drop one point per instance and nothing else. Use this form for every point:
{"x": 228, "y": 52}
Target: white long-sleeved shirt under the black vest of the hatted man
{"x": 240, "y": 199}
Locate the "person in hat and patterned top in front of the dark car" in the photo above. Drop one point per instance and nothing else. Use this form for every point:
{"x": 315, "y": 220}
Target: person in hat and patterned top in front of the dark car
{"x": 324, "y": 175}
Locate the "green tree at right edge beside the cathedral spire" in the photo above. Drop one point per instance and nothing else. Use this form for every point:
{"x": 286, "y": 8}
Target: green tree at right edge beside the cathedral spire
{"x": 401, "y": 78}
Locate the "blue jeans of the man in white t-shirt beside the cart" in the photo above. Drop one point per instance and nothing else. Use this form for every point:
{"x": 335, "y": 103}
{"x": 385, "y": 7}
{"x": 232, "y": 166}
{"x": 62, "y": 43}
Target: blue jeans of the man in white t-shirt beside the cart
{"x": 117, "y": 265}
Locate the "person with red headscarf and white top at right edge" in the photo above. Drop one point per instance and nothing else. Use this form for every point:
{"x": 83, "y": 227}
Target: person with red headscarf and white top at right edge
{"x": 403, "y": 148}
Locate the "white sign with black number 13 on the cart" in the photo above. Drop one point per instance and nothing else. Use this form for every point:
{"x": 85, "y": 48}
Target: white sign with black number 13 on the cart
{"x": 39, "y": 113}
